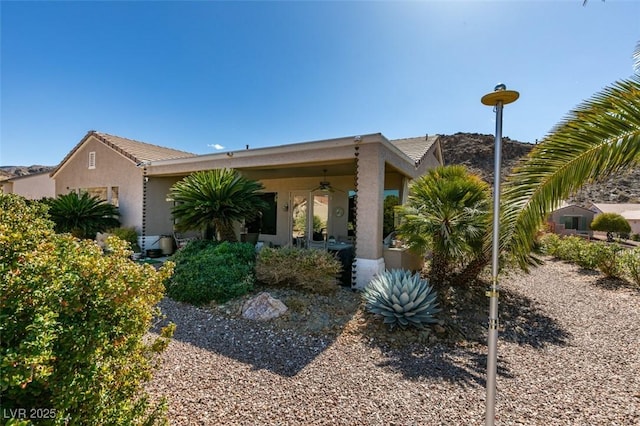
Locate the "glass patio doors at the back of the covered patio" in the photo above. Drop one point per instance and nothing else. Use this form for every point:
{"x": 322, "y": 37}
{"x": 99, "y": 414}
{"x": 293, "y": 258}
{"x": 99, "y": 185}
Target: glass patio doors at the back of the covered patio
{"x": 309, "y": 217}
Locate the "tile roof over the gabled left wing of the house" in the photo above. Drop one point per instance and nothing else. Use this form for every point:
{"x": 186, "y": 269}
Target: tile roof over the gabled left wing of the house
{"x": 136, "y": 151}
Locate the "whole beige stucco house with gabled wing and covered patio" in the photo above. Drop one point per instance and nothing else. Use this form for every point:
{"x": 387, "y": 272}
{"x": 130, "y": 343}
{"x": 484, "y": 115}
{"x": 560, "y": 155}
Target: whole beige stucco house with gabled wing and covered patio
{"x": 340, "y": 181}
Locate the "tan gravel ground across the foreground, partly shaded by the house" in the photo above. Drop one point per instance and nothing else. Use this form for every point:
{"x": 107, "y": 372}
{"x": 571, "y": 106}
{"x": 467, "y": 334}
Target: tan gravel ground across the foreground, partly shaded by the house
{"x": 569, "y": 354}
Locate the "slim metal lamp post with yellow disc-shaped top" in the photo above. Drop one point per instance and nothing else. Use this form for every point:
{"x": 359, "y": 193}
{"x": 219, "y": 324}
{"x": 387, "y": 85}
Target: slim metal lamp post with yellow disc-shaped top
{"x": 498, "y": 98}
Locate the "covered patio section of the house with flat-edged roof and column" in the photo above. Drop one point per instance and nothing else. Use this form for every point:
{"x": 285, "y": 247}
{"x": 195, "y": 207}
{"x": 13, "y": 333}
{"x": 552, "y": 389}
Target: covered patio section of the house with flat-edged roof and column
{"x": 324, "y": 193}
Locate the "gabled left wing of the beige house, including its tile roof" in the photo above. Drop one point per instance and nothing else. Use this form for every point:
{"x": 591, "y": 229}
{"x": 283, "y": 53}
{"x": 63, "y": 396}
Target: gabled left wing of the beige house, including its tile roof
{"x": 108, "y": 166}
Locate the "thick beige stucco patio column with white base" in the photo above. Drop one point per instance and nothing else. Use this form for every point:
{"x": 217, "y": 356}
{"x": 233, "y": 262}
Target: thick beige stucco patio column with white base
{"x": 369, "y": 255}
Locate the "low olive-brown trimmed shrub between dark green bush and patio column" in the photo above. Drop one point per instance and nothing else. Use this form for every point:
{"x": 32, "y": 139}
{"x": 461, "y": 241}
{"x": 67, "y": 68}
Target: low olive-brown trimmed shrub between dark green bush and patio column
{"x": 310, "y": 270}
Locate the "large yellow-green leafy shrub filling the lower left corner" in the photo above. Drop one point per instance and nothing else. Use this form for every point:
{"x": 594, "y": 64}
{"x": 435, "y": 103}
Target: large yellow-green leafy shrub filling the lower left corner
{"x": 72, "y": 322}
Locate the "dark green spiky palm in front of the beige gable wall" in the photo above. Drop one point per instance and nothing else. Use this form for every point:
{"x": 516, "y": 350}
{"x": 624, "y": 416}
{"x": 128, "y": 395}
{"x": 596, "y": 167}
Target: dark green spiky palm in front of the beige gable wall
{"x": 82, "y": 215}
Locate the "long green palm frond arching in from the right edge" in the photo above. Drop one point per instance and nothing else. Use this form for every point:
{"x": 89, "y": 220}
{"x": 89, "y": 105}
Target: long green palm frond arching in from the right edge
{"x": 600, "y": 137}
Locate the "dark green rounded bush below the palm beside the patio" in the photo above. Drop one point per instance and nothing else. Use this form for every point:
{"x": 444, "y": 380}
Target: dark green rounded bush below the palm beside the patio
{"x": 207, "y": 271}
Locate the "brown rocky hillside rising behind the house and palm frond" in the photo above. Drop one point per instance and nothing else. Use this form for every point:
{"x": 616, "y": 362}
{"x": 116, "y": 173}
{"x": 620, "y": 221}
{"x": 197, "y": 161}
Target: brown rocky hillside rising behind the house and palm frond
{"x": 476, "y": 152}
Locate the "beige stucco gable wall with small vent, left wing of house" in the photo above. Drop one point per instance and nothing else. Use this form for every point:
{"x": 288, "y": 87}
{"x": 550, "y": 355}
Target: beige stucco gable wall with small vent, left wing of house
{"x": 112, "y": 169}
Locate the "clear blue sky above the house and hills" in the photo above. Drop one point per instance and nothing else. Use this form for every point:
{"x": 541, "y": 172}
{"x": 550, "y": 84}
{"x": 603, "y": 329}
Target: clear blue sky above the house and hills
{"x": 193, "y": 75}
